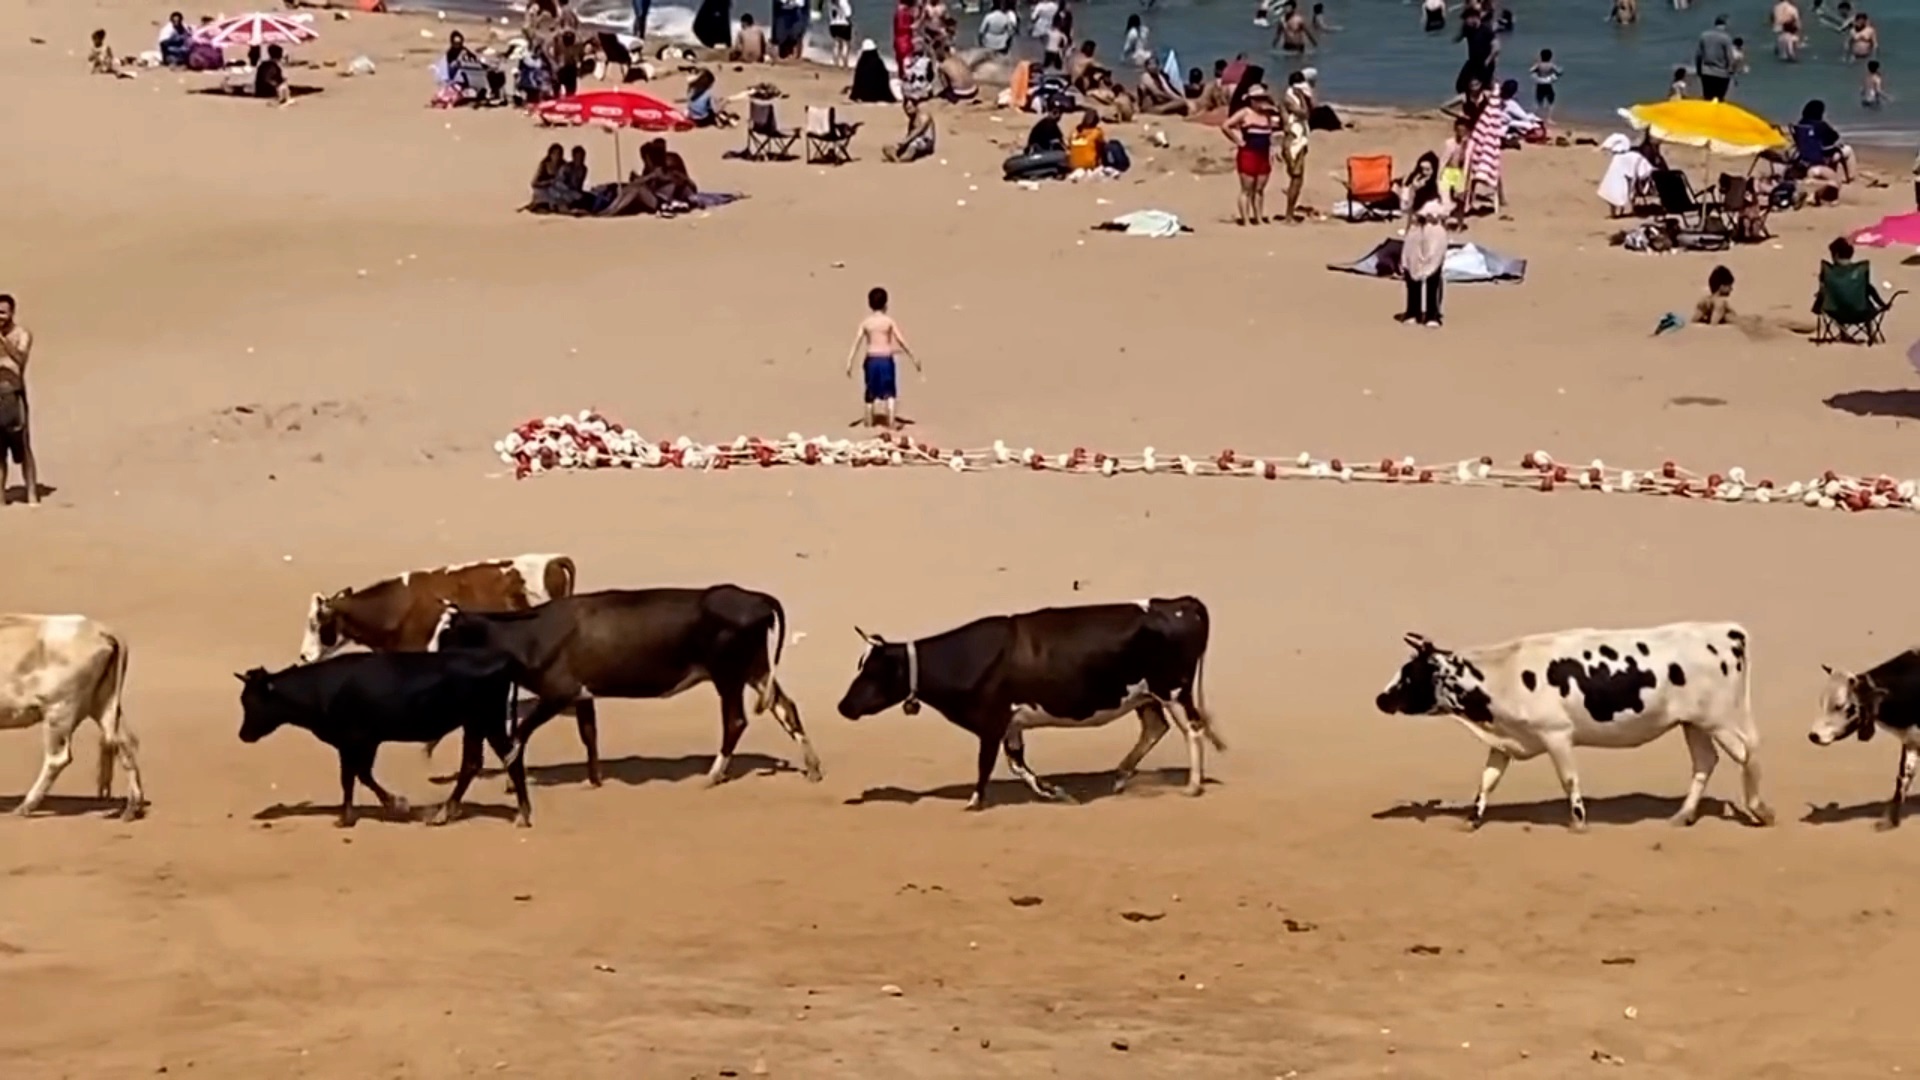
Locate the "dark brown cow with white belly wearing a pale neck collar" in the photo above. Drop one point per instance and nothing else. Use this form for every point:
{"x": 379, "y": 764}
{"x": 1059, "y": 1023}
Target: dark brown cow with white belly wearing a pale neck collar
{"x": 1057, "y": 668}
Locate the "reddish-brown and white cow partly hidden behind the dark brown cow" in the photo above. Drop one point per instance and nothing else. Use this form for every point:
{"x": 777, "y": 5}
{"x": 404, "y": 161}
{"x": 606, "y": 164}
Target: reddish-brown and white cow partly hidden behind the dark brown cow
{"x": 400, "y": 614}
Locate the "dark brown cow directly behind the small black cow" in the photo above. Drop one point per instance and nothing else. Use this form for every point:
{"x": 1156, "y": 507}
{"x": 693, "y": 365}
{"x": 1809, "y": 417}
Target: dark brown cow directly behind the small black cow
{"x": 652, "y": 643}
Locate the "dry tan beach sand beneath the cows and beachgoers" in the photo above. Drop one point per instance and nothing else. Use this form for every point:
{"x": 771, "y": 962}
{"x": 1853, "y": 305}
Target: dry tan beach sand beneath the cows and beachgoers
{"x": 183, "y": 257}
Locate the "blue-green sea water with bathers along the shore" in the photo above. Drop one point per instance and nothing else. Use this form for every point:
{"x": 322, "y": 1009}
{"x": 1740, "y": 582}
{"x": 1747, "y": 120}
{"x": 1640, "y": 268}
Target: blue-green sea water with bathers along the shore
{"x": 1381, "y": 57}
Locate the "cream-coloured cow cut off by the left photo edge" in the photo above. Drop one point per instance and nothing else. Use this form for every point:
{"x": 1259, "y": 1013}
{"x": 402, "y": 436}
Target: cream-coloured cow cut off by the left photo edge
{"x": 59, "y": 672}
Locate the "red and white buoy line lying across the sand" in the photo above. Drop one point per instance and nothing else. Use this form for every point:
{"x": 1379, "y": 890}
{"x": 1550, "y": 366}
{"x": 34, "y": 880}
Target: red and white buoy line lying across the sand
{"x": 590, "y": 441}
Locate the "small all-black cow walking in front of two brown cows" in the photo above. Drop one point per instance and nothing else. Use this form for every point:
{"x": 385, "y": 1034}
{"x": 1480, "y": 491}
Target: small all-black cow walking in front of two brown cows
{"x": 360, "y": 700}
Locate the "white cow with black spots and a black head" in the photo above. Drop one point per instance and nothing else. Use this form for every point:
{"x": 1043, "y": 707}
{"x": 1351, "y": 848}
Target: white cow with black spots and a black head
{"x": 1616, "y": 689}
